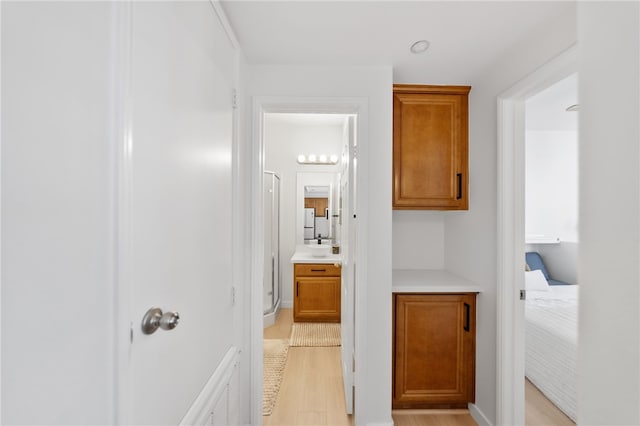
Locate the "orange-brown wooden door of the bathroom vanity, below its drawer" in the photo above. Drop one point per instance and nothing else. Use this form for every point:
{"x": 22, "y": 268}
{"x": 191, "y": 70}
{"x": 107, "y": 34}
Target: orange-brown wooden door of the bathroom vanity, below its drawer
{"x": 317, "y": 299}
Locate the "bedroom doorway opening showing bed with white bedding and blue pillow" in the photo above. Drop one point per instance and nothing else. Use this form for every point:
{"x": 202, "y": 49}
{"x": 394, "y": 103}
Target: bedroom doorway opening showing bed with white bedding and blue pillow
{"x": 551, "y": 251}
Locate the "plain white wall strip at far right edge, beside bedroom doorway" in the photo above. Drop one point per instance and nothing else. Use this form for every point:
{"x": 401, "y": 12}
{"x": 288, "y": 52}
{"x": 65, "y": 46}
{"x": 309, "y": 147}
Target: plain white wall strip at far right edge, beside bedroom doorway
{"x": 609, "y": 267}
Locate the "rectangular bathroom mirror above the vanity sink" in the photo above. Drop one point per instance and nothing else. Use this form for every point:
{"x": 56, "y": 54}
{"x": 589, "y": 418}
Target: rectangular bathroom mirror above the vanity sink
{"x": 315, "y": 206}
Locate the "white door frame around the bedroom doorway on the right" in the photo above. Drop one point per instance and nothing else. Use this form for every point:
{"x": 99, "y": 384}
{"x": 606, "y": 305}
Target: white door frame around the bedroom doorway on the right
{"x": 511, "y": 246}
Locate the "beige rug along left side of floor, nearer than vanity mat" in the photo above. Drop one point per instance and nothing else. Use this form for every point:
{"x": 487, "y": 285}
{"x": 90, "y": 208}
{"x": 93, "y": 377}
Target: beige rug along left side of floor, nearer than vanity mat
{"x": 275, "y": 359}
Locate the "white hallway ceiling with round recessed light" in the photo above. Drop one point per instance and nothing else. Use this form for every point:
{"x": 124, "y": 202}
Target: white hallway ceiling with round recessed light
{"x": 466, "y": 37}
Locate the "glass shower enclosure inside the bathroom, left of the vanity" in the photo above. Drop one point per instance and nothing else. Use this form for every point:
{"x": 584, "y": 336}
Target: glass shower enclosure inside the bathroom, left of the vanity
{"x": 272, "y": 278}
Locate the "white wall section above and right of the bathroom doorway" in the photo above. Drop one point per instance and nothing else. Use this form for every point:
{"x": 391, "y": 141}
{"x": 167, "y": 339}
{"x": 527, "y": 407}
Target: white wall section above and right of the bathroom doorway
{"x": 373, "y": 310}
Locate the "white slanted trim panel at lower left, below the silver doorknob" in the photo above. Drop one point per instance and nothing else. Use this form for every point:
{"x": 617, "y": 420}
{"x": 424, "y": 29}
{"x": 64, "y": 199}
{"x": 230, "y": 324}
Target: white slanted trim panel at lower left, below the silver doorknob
{"x": 205, "y": 409}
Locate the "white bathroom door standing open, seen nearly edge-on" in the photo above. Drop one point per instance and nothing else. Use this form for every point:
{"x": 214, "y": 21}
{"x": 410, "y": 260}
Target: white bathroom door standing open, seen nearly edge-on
{"x": 349, "y": 234}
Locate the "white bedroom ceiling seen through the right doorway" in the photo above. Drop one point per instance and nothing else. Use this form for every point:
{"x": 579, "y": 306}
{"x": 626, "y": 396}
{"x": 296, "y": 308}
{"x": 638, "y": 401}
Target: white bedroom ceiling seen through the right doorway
{"x": 547, "y": 110}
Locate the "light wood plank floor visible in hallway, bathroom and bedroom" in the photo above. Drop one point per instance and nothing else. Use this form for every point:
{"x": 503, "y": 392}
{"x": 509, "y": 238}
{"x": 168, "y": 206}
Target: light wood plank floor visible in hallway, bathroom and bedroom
{"x": 311, "y": 392}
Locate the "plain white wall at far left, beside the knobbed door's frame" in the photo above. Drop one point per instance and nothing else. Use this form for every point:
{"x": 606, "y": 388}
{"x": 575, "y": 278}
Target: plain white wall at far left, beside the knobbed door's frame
{"x": 57, "y": 259}
